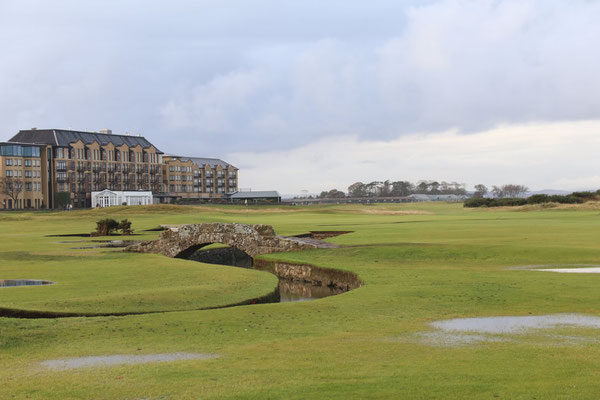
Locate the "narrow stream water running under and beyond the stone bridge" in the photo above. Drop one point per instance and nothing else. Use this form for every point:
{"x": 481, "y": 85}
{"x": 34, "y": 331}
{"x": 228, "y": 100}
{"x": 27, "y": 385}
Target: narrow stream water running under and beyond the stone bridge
{"x": 287, "y": 289}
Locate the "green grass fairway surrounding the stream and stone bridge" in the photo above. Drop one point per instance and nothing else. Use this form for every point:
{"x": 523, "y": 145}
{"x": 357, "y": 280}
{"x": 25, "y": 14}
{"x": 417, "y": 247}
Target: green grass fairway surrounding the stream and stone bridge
{"x": 420, "y": 263}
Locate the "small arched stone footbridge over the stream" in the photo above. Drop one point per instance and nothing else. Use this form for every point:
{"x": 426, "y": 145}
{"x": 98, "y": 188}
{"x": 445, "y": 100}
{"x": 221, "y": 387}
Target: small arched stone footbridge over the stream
{"x": 183, "y": 240}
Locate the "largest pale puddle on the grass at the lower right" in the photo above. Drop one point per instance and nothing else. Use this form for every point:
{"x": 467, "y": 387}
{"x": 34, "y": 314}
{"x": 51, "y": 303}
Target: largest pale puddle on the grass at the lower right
{"x": 464, "y": 331}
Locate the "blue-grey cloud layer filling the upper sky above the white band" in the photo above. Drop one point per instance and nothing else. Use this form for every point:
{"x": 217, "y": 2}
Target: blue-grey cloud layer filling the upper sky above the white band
{"x": 219, "y": 77}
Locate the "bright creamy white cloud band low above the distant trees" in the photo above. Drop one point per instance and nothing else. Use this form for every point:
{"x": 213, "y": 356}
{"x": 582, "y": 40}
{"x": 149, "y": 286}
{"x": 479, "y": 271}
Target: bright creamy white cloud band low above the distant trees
{"x": 541, "y": 155}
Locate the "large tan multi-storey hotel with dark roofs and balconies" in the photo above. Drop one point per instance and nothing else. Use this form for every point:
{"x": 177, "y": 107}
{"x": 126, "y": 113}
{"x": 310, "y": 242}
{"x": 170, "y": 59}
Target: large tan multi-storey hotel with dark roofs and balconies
{"x": 53, "y": 168}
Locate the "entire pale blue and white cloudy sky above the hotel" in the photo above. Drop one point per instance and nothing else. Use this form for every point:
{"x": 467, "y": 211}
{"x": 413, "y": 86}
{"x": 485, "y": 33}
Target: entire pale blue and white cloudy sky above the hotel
{"x": 314, "y": 95}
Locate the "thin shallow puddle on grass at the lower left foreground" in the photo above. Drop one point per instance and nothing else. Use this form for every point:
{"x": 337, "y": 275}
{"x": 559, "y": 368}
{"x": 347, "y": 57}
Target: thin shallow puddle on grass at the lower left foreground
{"x": 121, "y": 359}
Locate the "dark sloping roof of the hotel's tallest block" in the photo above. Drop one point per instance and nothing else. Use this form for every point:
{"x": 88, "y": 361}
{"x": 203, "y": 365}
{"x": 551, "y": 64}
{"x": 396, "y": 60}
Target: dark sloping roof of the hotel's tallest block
{"x": 62, "y": 138}
